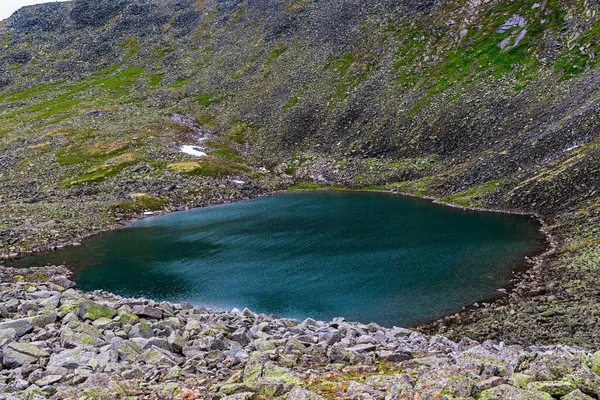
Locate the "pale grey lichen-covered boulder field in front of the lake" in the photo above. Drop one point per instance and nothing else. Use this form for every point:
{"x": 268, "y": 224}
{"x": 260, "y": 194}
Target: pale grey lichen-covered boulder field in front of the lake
{"x": 57, "y": 342}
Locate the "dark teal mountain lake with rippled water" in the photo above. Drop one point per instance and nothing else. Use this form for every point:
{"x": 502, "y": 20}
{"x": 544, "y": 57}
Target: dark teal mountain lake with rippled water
{"x": 364, "y": 256}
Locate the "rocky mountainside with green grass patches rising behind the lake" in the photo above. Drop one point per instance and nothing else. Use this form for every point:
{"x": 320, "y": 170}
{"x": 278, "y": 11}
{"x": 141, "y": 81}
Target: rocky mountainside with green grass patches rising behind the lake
{"x": 481, "y": 103}
